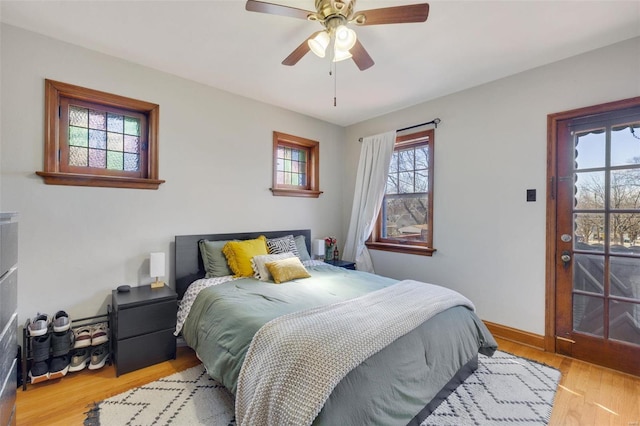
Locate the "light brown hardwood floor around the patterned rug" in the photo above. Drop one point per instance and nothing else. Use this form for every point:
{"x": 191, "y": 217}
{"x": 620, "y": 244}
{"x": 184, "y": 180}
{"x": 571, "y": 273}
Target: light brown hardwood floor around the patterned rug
{"x": 587, "y": 394}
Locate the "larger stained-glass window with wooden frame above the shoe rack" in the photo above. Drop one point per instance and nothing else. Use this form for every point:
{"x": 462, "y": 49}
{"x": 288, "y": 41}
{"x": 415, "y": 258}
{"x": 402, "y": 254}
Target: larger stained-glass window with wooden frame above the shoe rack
{"x": 94, "y": 138}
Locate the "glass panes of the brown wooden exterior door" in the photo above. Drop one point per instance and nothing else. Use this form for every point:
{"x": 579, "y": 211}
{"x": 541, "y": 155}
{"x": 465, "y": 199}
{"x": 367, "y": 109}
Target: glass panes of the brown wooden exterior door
{"x": 606, "y": 240}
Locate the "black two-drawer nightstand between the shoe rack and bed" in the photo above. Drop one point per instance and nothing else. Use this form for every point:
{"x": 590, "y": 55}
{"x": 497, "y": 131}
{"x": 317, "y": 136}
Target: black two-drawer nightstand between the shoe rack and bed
{"x": 143, "y": 321}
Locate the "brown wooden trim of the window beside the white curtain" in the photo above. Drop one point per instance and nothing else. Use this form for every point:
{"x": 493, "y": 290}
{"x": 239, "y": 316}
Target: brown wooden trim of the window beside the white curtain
{"x": 421, "y": 248}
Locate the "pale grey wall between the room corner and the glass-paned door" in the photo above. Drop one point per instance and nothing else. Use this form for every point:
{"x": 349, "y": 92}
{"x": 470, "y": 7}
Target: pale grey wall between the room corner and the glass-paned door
{"x": 489, "y": 148}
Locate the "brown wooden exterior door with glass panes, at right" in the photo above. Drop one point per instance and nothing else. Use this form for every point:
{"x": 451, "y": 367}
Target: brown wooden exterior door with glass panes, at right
{"x": 597, "y": 234}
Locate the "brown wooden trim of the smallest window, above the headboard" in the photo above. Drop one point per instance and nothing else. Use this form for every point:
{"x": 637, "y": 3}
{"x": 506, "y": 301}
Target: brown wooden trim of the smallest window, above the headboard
{"x": 312, "y": 147}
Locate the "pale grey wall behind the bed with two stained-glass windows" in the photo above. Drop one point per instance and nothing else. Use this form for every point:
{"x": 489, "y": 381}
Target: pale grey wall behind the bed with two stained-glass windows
{"x": 76, "y": 244}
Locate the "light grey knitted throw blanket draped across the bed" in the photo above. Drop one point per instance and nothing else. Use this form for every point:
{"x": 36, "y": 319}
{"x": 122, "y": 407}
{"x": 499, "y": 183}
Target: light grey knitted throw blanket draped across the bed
{"x": 300, "y": 357}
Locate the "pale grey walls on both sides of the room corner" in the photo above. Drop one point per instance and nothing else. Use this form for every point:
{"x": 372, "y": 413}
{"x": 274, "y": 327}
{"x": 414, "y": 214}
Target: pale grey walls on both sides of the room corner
{"x": 76, "y": 244}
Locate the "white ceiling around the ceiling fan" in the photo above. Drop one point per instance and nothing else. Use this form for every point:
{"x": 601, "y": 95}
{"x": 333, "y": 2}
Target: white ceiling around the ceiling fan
{"x": 219, "y": 43}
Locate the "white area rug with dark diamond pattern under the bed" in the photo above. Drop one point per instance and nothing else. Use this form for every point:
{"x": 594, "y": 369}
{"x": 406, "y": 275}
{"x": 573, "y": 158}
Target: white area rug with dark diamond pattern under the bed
{"x": 505, "y": 390}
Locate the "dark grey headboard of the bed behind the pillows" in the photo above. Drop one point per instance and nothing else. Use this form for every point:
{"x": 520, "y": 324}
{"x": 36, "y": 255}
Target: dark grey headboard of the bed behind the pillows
{"x": 188, "y": 262}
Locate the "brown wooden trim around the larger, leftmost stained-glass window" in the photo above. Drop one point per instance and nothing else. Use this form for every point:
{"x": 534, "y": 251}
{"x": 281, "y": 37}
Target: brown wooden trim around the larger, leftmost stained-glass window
{"x": 52, "y": 173}
